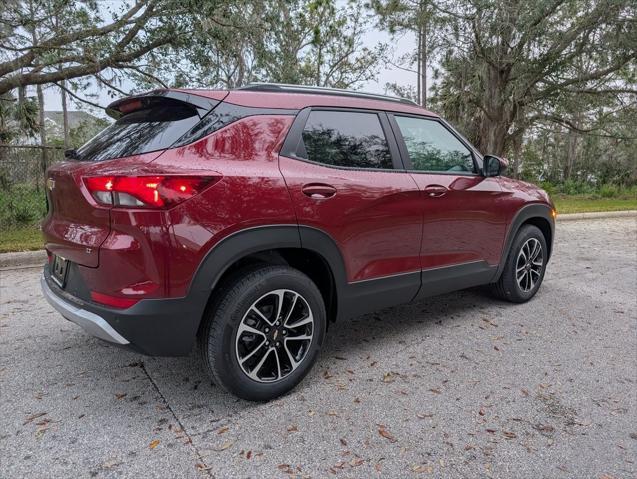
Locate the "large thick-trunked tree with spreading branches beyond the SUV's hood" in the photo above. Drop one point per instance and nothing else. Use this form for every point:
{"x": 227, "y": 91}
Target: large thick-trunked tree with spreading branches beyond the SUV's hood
{"x": 511, "y": 64}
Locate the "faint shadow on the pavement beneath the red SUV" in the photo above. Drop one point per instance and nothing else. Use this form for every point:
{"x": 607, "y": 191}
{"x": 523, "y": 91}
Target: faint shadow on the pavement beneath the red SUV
{"x": 185, "y": 387}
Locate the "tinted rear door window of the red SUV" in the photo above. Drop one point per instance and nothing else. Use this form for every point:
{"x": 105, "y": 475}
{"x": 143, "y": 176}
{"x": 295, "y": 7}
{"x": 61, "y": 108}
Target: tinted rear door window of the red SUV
{"x": 351, "y": 139}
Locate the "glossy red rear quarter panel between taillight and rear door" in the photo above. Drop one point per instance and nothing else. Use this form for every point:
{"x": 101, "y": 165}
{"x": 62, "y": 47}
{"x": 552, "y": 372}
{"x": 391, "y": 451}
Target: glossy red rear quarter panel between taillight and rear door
{"x": 250, "y": 192}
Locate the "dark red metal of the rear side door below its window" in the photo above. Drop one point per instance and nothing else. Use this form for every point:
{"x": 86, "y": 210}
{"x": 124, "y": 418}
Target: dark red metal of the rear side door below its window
{"x": 374, "y": 217}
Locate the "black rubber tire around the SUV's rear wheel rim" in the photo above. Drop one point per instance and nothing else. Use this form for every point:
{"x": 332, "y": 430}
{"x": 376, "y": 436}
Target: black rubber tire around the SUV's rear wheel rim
{"x": 228, "y": 315}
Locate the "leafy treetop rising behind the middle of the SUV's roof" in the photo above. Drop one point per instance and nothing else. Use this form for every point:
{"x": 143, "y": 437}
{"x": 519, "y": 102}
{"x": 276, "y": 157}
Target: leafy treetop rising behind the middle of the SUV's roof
{"x": 307, "y": 42}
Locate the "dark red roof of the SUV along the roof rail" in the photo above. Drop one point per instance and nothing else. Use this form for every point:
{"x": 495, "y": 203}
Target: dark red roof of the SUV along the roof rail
{"x": 298, "y": 97}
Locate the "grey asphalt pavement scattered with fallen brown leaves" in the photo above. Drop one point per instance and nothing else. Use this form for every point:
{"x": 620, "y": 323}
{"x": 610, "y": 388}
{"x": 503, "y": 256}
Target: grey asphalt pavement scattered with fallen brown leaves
{"x": 456, "y": 386}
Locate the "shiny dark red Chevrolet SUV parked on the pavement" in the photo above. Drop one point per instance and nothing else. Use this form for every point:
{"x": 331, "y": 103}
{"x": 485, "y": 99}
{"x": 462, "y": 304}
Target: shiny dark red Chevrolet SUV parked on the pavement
{"x": 249, "y": 219}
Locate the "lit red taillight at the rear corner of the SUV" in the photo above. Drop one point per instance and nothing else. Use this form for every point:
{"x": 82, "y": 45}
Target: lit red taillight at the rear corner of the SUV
{"x": 145, "y": 191}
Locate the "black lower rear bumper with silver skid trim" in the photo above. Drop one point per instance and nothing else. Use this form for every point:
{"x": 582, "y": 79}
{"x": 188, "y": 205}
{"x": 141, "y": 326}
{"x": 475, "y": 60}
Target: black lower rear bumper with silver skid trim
{"x": 155, "y": 327}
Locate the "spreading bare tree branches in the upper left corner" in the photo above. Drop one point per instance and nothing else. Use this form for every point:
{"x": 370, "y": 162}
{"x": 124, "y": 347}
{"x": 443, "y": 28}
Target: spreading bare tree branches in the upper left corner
{"x": 96, "y": 38}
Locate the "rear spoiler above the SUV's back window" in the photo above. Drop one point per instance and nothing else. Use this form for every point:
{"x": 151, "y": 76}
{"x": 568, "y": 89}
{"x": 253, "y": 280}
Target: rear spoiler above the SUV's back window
{"x": 120, "y": 107}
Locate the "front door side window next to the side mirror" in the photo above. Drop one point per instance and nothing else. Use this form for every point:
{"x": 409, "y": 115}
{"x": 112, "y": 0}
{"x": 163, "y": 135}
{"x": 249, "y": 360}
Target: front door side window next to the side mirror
{"x": 432, "y": 147}
